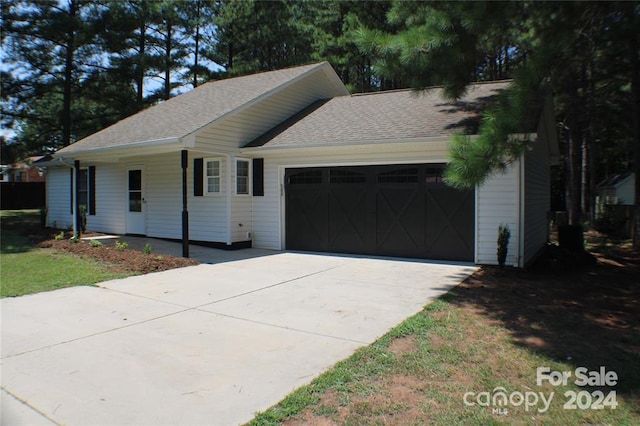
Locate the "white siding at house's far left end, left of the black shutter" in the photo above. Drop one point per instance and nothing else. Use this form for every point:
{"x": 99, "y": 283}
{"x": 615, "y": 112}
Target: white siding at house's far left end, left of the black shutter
{"x": 59, "y": 197}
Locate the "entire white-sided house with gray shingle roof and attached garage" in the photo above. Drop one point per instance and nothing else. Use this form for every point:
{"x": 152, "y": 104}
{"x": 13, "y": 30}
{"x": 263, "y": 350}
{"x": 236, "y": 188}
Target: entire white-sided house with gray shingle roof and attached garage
{"x": 289, "y": 159}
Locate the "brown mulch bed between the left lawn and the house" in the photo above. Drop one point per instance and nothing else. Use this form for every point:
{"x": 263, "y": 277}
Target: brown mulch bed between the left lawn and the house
{"x": 126, "y": 259}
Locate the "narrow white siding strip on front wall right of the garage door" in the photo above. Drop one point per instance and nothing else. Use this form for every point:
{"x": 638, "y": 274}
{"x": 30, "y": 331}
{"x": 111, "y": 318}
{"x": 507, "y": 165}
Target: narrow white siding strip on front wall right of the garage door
{"x": 497, "y": 203}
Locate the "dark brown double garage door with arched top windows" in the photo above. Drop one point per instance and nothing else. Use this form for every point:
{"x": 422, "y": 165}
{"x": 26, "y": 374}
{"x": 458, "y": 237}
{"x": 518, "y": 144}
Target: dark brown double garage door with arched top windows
{"x": 399, "y": 210}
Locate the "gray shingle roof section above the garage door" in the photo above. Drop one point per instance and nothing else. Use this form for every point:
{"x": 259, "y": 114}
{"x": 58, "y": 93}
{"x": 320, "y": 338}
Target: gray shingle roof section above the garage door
{"x": 378, "y": 116}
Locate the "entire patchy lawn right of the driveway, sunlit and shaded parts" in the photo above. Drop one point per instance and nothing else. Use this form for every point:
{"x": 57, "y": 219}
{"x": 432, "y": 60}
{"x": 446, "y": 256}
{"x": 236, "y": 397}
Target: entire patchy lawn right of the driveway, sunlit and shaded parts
{"x": 447, "y": 364}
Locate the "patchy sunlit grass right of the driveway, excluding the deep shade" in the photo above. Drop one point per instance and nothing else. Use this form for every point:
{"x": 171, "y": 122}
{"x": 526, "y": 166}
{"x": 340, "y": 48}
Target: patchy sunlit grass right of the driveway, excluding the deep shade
{"x": 420, "y": 371}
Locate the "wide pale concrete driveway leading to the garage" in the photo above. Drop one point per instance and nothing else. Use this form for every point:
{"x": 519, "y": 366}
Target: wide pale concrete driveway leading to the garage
{"x": 206, "y": 345}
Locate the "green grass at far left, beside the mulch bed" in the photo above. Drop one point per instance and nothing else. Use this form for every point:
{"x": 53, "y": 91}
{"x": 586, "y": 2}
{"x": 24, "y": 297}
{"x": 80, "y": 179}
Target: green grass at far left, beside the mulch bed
{"x": 26, "y": 269}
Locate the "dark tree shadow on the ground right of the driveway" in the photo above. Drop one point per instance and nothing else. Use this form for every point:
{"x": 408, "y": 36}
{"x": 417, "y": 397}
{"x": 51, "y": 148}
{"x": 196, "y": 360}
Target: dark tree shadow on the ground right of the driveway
{"x": 588, "y": 317}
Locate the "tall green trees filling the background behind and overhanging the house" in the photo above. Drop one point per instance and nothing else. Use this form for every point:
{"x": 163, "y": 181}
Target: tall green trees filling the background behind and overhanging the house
{"x": 73, "y": 67}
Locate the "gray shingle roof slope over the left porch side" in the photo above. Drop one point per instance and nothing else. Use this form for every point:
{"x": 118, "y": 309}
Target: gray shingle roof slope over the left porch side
{"x": 188, "y": 112}
